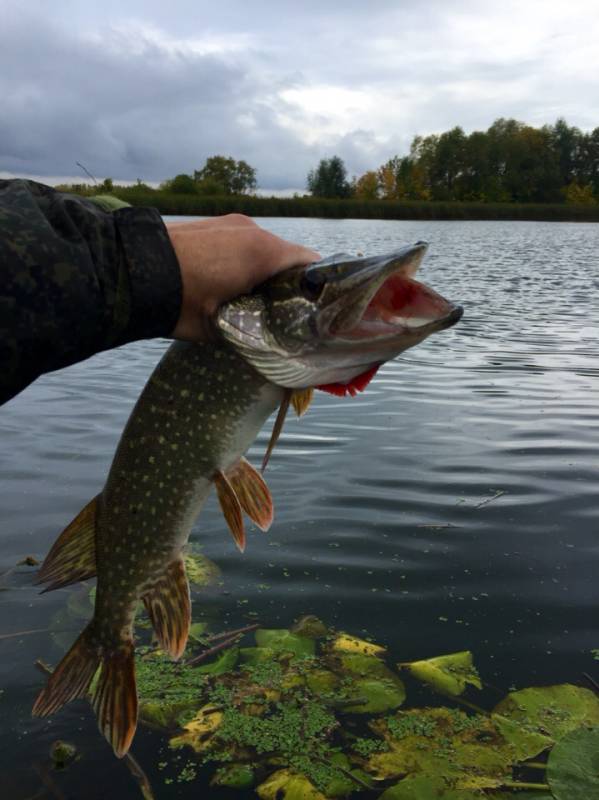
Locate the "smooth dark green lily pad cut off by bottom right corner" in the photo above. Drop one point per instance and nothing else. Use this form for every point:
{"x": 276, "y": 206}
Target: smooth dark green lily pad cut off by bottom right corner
{"x": 573, "y": 765}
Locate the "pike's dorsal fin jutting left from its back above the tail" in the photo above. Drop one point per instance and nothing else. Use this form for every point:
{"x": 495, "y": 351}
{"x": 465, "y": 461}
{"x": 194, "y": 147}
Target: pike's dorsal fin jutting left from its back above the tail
{"x": 73, "y": 555}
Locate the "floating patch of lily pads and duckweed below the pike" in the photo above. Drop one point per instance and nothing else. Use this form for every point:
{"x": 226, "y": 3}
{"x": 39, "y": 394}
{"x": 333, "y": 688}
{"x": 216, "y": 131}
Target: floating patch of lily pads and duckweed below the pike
{"x": 306, "y": 715}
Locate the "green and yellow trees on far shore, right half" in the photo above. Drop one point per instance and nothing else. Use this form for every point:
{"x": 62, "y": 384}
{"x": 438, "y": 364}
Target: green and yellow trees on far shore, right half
{"x": 511, "y": 162}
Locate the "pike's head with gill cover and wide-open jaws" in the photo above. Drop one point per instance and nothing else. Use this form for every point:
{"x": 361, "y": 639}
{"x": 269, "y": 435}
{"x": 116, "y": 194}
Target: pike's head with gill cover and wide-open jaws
{"x": 330, "y": 322}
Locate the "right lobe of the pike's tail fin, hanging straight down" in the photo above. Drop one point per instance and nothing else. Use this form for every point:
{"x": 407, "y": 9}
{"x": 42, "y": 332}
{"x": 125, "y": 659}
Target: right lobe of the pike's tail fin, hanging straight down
{"x": 115, "y": 698}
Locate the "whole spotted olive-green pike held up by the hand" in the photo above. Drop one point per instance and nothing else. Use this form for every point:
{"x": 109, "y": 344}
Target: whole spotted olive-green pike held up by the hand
{"x": 328, "y": 325}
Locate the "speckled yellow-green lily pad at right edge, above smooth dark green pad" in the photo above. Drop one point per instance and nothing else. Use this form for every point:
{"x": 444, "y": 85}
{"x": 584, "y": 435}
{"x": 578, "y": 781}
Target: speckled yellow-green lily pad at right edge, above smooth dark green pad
{"x": 553, "y": 711}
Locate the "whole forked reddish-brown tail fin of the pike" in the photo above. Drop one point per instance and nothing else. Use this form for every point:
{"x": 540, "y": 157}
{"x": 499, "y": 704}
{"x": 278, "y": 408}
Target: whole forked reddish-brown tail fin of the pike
{"x": 115, "y": 695}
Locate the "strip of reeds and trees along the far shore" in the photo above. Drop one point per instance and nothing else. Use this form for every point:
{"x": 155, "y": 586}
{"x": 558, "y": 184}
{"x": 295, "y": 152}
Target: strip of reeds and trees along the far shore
{"x": 510, "y": 171}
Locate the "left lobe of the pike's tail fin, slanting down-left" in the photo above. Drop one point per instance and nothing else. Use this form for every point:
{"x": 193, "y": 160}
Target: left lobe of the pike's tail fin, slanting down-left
{"x": 72, "y": 677}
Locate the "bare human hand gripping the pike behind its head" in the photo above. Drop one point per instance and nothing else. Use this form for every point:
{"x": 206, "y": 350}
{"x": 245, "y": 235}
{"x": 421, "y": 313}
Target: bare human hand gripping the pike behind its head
{"x": 221, "y": 258}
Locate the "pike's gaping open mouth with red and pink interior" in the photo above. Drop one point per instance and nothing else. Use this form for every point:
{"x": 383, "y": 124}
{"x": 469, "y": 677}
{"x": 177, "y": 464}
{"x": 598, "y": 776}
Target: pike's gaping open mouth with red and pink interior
{"x": 393, "y": 303}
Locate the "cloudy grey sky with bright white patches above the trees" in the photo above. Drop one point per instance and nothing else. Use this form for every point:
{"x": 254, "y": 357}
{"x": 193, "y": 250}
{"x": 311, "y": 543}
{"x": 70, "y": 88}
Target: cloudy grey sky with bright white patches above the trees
{"x": 148, "y": 89}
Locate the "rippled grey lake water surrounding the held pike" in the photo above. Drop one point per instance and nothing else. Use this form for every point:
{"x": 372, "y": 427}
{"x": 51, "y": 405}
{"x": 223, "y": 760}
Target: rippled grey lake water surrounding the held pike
{"x": 452, "y": 506}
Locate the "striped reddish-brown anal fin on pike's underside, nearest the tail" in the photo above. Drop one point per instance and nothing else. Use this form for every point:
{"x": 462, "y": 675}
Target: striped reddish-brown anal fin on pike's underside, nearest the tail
{"x": 169, "y": 607}
